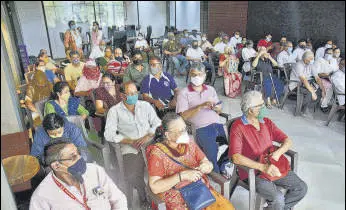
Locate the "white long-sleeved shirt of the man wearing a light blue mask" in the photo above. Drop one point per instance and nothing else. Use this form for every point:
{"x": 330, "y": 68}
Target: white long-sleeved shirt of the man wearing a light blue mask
{"x": 121, "y": 123}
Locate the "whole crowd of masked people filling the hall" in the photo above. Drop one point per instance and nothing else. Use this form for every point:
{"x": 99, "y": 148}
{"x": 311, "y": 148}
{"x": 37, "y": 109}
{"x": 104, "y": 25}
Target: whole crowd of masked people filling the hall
{"x": 137, "y": 98}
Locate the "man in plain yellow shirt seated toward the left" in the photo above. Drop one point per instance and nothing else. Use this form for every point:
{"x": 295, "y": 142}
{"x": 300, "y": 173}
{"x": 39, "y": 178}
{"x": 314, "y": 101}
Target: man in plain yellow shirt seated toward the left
{"x": 73, "y": 71}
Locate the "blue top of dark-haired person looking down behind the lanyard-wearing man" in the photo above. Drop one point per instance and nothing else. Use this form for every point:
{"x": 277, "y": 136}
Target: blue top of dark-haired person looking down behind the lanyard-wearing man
{"x": 41, "y": 138}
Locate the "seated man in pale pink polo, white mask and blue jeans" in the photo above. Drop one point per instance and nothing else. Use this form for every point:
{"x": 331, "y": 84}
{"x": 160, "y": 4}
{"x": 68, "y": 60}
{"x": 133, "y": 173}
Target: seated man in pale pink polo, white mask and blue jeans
{"x": 197, "y": 104}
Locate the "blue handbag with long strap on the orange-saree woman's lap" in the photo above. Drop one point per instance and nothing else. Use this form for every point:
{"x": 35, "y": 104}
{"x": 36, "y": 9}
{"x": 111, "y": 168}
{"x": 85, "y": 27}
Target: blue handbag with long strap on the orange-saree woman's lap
{"x": 196, "y": 195}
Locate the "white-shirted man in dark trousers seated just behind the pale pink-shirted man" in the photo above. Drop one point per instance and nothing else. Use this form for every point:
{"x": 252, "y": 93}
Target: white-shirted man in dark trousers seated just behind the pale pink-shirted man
{"x": 196, "y": 54}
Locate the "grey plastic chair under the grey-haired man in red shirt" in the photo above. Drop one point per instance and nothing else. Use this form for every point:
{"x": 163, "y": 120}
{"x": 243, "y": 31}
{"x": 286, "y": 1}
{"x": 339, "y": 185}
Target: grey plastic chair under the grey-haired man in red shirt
{"x": 255, "y": 200}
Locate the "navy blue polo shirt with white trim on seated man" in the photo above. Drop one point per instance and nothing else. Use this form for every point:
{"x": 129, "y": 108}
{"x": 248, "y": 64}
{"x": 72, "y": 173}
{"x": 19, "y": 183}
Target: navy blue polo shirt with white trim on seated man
{"x": 159, "y": 89}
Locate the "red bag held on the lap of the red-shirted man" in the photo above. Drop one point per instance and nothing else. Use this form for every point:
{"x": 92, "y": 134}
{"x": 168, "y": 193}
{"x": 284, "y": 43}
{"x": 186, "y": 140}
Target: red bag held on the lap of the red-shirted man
{"x": 282, "y": 164}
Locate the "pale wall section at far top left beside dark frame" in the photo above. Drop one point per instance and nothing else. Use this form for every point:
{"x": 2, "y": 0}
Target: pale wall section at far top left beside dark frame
{"x": 31, "y": 20}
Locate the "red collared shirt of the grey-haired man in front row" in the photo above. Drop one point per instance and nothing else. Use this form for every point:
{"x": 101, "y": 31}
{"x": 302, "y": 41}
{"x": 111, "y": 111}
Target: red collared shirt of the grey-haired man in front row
{"x": 247, "y": 141}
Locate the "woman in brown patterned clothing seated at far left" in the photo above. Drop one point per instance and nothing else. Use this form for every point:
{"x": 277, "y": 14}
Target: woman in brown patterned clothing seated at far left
{"x": 39, "y": 88}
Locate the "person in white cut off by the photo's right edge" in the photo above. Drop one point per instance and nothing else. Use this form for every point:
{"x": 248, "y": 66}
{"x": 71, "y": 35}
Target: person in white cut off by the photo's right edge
{"x": 338, "y": 80}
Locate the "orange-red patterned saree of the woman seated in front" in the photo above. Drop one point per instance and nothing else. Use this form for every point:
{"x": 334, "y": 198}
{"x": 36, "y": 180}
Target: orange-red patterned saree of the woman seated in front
{"x": 160, "y": 165}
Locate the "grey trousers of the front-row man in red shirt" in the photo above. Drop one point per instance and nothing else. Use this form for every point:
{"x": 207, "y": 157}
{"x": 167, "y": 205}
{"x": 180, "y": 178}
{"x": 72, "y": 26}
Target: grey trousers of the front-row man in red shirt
{"x": 296, "y": 190}
